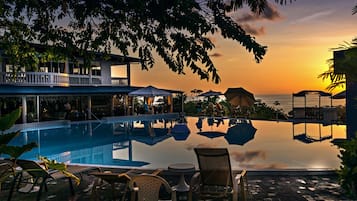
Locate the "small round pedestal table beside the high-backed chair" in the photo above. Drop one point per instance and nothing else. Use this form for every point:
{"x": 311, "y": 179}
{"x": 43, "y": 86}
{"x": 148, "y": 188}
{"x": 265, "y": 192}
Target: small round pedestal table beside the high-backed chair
{"x": 182, "y": 168}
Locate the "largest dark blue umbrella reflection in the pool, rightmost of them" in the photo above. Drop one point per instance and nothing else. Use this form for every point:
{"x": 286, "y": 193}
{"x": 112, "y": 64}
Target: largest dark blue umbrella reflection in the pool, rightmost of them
{"x": 240, "y": 134}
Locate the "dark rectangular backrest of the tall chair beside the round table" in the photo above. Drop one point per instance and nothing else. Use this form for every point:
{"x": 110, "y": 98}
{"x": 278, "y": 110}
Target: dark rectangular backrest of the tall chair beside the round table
{"x": 215, "y": 166}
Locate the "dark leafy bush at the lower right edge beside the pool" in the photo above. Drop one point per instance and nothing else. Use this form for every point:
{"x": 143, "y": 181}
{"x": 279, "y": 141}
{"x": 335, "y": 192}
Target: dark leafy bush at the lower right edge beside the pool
{"x": 348, "y": 168}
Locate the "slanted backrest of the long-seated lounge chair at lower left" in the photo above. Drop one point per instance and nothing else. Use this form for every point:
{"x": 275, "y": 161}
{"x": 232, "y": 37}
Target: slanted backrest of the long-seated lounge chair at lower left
{"x": 33, "y": 168}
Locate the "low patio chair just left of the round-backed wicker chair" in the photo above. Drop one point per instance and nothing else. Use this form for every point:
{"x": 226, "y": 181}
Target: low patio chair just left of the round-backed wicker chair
{"x": 120, "y": 180}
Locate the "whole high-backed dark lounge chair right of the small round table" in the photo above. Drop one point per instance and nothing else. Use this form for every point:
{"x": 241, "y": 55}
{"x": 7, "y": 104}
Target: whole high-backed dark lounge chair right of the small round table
{"x": 215, "y": 179}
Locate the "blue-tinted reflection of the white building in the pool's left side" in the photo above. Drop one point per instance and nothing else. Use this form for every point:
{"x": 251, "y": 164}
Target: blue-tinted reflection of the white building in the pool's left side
{"x": 86, "y": 143}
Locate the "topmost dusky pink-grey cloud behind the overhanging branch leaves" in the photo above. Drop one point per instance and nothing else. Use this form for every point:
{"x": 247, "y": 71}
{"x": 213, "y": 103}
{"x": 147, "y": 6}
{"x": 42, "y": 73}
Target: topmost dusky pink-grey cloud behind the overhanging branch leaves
{"x": 270, "y": 13}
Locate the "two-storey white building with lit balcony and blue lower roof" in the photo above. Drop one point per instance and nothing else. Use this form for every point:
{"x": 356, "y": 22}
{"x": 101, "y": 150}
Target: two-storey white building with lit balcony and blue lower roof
{"x": 67, "y": 89}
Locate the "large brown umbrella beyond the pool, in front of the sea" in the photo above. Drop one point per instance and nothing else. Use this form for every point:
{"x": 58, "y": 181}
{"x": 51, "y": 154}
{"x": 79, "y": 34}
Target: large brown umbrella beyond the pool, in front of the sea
{"x": 239, "y": 97}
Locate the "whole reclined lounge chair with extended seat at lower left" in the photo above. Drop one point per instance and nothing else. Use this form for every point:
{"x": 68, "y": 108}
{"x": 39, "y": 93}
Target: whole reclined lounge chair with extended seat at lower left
{"x": 40, "y": 176}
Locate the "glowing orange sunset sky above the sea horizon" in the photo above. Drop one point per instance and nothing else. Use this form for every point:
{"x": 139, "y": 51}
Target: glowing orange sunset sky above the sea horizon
{"x": 299, "y": 37}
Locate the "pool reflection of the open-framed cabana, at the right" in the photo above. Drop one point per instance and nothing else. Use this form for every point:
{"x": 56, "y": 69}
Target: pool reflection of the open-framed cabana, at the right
{"x": 316, "y": 136}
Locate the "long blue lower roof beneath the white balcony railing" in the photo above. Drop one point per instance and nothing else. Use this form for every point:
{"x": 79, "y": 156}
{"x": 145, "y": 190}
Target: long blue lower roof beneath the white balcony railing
{"x": 11, "y": 90}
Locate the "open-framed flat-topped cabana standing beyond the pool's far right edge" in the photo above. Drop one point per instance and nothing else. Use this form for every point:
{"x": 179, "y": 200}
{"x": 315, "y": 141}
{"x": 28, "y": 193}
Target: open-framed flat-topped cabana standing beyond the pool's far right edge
{"x": 317, "y": 113}
